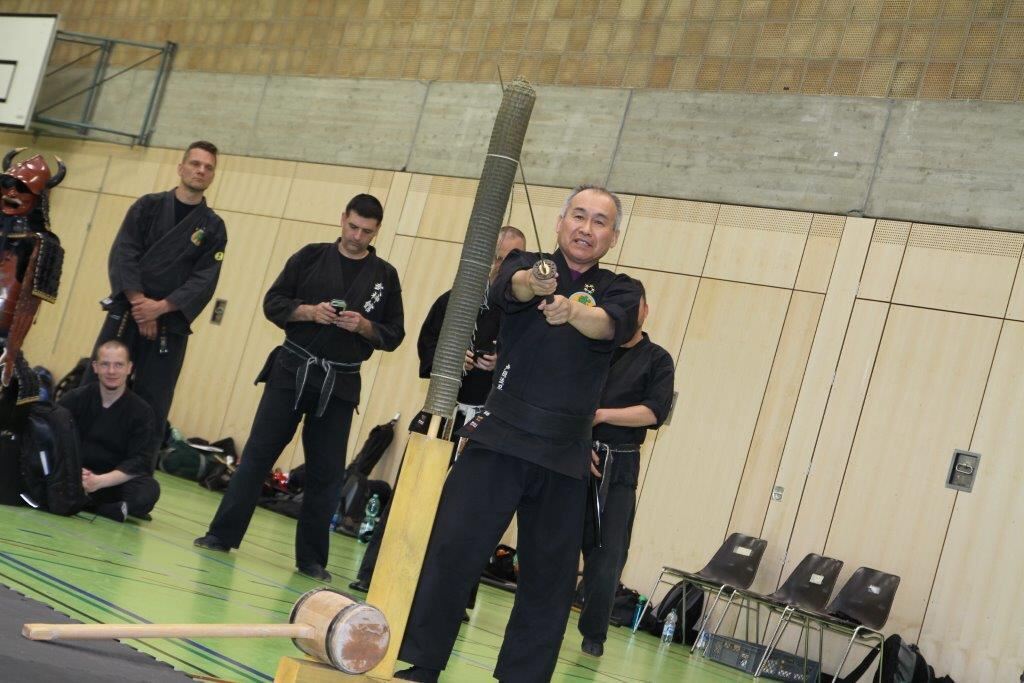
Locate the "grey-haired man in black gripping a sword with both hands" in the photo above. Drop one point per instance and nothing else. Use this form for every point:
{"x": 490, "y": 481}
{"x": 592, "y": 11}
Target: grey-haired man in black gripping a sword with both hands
{"x": 529, "y": 450}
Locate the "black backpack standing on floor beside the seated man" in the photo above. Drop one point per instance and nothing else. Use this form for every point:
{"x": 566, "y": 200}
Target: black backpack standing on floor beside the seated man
{"x": 52, "y": 465}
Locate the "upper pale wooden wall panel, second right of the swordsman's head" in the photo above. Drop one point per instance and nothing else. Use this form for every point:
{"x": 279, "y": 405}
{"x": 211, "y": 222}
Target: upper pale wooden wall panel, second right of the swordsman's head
{"x": 759, "y": 246}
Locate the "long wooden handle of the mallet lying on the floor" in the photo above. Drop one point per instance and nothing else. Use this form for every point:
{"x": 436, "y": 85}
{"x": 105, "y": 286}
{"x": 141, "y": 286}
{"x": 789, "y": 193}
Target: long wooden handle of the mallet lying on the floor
{"x": 109, "y": 631}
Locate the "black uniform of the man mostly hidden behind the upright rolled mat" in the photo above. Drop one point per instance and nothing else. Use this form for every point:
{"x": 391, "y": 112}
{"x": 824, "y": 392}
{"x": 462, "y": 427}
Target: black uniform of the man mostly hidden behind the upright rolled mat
{"x": 474, "y": 392}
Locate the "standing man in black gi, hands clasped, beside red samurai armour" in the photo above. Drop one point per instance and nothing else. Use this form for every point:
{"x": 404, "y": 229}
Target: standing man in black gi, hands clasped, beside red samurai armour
{"x": 164, "y": 267}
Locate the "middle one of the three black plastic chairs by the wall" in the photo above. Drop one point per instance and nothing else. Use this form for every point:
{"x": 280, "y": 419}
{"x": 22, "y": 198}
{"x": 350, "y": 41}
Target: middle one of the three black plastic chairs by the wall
{"x": 807, "y": 588}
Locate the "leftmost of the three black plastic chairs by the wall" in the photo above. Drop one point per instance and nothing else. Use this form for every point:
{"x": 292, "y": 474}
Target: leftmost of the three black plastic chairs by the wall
{"x": 734, "y": 567}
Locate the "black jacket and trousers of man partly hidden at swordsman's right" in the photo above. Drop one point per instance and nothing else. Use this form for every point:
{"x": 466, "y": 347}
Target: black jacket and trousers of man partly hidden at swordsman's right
{"x": 641, "y": 375}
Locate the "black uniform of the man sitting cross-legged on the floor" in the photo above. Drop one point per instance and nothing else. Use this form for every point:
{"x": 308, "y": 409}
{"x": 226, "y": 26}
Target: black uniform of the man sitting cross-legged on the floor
{"x": 117, "y": 438}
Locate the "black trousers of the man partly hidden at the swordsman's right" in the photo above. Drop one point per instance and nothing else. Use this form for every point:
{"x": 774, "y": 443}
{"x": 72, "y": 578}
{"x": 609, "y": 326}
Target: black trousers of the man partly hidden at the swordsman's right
{"x": 604, "y": 567}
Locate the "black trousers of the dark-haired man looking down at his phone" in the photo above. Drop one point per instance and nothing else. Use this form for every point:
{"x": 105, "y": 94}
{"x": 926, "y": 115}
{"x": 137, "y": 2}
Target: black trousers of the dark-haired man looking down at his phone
{"x": 324, "y": 441}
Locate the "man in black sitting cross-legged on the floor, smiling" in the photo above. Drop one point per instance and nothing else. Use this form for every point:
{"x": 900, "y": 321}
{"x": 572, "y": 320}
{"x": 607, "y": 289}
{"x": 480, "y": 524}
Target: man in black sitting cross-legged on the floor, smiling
{"x": 115, "y": 430}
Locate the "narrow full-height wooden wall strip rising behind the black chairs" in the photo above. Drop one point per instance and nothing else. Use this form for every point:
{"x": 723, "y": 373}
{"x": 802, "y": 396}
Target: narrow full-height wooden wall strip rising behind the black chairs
{"x": 815, "y": 396}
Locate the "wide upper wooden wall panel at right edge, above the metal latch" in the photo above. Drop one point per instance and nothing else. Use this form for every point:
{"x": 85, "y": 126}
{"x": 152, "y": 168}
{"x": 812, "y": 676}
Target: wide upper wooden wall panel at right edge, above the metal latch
{"x": 961, "y": 270}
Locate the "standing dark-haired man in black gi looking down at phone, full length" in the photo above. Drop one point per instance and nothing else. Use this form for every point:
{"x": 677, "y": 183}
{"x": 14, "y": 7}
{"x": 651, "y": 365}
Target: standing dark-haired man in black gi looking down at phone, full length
{"x": 337, "y": 303}
